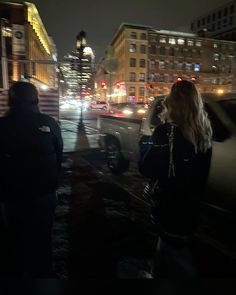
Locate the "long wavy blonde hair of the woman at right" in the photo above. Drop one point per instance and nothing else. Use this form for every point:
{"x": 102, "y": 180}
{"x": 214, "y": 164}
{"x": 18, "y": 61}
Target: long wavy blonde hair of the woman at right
{"x": 184, "y": 106}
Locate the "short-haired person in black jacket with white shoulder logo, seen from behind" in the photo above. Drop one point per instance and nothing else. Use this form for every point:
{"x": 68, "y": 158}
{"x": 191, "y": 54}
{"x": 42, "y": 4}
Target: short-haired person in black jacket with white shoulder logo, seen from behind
{"x": 30, "y": 159}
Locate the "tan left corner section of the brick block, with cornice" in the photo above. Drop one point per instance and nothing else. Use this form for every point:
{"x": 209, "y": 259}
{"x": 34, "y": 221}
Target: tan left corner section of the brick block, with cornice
{"x": 121, "y": 74}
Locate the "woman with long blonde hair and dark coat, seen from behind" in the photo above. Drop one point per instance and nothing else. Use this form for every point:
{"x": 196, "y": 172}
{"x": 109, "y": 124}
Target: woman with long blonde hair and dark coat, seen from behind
{"x": 178, "y": 156}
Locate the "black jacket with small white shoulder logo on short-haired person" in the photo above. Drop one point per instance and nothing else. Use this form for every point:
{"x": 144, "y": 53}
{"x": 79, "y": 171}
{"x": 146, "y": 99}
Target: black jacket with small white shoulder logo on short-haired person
{"x": 30, "y": 154}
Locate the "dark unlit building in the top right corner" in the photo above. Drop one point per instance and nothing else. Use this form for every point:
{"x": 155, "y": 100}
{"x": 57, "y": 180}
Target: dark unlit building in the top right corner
{"x": 218, "y": 23}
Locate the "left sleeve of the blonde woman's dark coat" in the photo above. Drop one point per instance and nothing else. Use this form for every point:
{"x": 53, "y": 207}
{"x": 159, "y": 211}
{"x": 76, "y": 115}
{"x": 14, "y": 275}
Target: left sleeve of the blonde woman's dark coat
{"x": 154, "y": 158}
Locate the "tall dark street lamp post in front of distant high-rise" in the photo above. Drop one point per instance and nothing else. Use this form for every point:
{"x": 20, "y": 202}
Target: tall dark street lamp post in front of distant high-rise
{"x": 80, "y": 45}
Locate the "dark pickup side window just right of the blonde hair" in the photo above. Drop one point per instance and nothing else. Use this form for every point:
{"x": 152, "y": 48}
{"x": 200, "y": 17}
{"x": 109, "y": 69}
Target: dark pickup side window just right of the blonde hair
{"x": 220, "y": 132}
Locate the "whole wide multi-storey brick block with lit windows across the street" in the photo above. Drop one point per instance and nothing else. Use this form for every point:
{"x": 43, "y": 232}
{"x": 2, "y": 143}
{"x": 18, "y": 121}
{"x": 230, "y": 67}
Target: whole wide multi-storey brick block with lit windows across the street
{"x": 148, "y": 61}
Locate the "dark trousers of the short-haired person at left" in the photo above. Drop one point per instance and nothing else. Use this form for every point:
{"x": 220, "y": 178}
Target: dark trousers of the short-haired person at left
{"x": 26, "y": 237}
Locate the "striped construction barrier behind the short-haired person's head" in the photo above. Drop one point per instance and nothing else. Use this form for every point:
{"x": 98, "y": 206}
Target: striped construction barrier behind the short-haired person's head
{"x": 48, "y": 103}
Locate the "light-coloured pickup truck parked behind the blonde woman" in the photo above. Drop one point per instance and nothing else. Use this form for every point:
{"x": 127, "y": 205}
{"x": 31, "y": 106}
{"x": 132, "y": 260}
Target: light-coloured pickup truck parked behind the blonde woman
{"x": 119, "y": 137}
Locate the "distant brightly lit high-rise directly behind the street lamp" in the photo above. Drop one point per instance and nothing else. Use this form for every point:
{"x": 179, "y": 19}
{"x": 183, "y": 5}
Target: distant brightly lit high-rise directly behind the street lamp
{"x": 78, "y": 73}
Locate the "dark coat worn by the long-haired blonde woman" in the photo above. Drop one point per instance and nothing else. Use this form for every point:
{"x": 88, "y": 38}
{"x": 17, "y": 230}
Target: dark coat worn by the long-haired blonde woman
{"x": 181, "y": 196}
